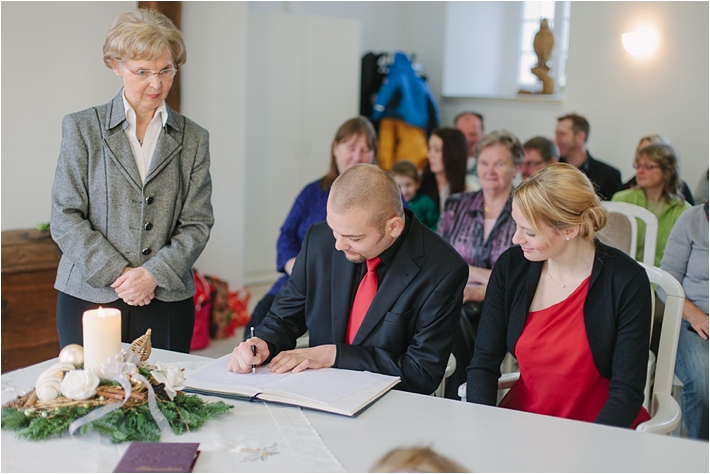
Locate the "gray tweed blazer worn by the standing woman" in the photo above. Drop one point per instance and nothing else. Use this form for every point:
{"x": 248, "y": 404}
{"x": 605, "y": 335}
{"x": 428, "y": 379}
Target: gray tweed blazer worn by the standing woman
{"x": 104, "y": 218}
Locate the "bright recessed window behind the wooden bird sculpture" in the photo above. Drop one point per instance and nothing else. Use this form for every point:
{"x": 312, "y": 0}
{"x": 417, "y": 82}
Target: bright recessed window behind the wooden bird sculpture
{"x": 488, "y": 47}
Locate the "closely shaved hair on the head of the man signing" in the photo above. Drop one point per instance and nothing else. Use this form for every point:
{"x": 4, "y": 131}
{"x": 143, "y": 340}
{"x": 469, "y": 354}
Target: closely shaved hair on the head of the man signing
{"x": 367, "y": 187}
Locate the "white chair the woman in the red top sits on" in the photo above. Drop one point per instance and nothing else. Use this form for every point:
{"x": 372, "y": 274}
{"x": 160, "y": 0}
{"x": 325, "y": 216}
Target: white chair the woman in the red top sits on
{"x": 664, "y": 409}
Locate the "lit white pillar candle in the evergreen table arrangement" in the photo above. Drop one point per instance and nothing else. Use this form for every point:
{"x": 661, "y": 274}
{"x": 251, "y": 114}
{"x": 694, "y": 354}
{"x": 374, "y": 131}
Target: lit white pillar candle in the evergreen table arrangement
{"x": 102, "y": 337}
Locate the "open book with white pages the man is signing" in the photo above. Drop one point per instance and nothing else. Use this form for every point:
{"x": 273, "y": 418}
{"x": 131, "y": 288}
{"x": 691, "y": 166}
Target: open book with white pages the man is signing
{"x": 340, "y": 391}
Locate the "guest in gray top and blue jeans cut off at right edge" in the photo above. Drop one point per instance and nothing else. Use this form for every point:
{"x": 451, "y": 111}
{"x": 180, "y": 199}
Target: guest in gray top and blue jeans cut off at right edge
{"x": 686, "y": 258}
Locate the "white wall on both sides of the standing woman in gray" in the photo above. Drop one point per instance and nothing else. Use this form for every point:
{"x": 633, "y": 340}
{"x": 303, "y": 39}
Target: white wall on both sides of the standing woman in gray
{"x": 51, "y": 66}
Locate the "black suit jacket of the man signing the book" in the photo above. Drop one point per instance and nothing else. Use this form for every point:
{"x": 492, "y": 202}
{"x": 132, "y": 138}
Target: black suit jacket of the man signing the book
{"x": 409, "y": 328}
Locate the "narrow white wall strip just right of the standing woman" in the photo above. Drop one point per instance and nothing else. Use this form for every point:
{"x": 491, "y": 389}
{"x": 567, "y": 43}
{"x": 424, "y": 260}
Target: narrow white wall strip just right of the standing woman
{"x": 214, "y": 95}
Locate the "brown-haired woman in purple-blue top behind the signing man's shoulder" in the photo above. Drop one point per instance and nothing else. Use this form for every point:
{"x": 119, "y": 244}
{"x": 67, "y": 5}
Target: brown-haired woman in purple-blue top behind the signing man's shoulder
{"x": 355, "y": 142}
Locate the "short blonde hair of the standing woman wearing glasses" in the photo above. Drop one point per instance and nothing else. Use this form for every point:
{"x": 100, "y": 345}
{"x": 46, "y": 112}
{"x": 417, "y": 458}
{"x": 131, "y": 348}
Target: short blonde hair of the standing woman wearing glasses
{"x": 143, "y": 34}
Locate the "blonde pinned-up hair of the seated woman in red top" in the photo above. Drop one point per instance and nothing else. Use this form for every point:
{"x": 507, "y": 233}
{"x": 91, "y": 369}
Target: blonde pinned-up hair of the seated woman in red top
{"x": 560, "y": 196}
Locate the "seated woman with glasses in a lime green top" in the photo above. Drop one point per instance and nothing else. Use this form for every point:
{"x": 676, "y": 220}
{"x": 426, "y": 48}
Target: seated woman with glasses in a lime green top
{"x": 657, "y": 190}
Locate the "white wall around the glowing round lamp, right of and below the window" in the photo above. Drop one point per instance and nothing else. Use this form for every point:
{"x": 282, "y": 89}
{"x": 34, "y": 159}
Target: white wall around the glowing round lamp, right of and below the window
{"x": 624, "y": 98}
